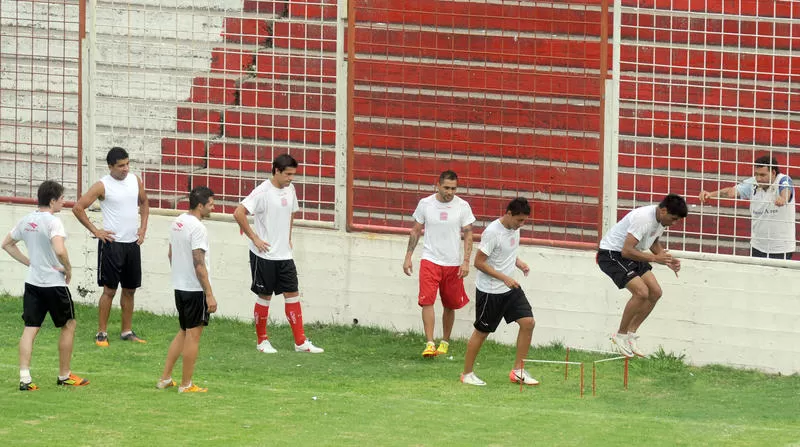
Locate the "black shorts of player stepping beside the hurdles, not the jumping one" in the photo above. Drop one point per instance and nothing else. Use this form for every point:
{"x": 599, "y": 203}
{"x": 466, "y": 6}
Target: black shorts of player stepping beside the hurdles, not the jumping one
{"x": 490, "y": 308}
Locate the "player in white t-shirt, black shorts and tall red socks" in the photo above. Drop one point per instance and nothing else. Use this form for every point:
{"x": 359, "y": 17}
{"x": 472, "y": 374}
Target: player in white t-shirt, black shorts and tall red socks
{"x": 273, "y": 204}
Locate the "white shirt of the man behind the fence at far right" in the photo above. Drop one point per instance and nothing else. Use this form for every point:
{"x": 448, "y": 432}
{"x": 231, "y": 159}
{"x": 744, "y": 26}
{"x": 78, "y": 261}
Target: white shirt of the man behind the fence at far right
{"x": 772, "y": 227}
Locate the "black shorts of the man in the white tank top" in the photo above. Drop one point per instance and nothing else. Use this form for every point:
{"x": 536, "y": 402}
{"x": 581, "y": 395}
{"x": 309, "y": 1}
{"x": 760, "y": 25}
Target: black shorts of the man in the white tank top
{"x": 119, "y": 263}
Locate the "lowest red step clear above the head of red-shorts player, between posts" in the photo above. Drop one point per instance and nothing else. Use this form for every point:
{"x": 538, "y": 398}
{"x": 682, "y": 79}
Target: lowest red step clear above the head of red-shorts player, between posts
{"x": 507, "y": 143}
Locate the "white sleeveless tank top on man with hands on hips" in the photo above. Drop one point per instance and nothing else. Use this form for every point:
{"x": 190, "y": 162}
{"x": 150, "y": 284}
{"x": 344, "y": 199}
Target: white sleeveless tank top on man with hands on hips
{"x": 121, "y": 207}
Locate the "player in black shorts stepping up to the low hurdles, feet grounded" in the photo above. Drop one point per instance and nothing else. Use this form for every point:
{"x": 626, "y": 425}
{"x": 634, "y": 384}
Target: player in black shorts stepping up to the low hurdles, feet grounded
{"x": 498, "y": 295}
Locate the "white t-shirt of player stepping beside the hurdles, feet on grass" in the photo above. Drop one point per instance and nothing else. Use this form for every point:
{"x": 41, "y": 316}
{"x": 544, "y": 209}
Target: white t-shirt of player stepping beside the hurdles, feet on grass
{"x": 500, "y": 245}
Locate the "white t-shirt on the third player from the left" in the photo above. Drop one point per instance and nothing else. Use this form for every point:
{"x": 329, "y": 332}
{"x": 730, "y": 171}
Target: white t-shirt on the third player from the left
{"x": 186, "y": 235}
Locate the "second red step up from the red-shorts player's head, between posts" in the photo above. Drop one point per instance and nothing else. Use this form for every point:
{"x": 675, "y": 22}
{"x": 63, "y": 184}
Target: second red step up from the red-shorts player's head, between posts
{"x": 557, "y": 114}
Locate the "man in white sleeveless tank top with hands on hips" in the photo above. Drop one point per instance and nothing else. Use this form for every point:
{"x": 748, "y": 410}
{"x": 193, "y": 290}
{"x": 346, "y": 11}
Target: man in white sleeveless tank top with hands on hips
{"x": 125, "y": 210}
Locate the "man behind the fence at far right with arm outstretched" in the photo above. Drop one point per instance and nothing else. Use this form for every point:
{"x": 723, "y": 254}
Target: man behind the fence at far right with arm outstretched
{"x": 772, "y": 209}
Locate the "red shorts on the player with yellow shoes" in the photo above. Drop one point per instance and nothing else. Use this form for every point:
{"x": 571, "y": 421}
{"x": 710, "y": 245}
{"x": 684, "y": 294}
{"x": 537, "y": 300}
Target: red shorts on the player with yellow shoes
{"x": 446, "y": 280}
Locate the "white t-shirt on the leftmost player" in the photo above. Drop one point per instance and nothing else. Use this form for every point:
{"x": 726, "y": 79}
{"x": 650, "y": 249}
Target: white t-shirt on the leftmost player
{"x": 36, "y": 230}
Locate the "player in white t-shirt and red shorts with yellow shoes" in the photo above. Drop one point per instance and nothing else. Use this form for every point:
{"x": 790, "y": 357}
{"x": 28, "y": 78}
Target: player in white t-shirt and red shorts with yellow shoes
{"x": 445, "y": 217}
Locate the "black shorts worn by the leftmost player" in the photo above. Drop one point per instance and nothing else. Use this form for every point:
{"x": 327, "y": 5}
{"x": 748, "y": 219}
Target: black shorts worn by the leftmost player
{"x": 38, "y": 301}
